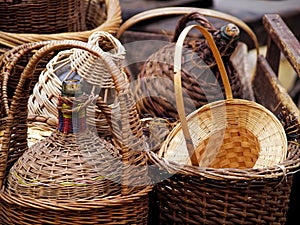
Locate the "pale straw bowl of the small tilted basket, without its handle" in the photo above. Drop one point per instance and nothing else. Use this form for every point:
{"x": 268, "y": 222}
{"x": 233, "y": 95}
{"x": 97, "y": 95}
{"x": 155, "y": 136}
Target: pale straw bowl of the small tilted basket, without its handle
{"x": 235, "y": 134}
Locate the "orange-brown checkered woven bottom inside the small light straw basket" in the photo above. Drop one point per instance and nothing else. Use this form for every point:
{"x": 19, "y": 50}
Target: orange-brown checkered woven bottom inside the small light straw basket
{"x": 236, "y": 147}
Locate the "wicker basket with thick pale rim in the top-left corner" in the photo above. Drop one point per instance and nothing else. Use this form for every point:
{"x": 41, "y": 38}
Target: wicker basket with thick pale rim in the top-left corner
{"x": 97, "y": 15}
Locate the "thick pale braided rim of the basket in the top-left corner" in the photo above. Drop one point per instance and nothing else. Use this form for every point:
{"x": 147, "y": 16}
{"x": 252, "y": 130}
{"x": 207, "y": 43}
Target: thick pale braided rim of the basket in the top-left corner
{"x": 111, "y": 25}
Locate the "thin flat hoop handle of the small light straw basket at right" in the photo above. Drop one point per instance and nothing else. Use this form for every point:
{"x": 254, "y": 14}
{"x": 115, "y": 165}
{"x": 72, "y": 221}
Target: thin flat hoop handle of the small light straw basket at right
{"x": 178, "y": 86}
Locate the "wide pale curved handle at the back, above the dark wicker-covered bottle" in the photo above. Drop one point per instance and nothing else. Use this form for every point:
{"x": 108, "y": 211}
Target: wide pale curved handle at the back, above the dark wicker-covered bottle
{"x": 171, "y": 11}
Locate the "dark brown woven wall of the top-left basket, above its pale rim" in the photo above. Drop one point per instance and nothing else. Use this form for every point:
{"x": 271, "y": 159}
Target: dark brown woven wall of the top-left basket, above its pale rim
{"x": 29, "y": 16}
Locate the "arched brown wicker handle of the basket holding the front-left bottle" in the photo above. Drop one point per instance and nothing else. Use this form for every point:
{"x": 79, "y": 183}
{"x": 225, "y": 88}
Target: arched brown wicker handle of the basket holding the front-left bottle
{"x": 121, "y": 87}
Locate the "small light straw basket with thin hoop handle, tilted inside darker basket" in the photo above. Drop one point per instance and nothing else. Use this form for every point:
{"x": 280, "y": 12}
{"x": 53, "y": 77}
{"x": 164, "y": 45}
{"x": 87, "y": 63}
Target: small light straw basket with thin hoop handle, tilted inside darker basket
{"x": 231, "y": 133}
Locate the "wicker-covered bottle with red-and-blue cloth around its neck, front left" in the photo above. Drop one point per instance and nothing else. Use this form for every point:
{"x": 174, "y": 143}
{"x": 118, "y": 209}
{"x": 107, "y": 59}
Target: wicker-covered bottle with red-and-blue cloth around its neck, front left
{"x": 72, "y": 163}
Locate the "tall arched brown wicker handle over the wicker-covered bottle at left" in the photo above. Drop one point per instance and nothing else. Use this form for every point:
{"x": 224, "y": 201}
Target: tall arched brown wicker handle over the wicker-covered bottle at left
{"x": 129, "y": 117}
